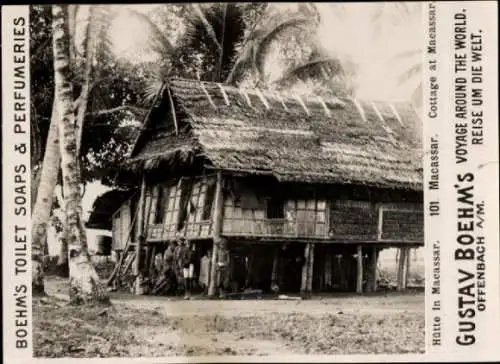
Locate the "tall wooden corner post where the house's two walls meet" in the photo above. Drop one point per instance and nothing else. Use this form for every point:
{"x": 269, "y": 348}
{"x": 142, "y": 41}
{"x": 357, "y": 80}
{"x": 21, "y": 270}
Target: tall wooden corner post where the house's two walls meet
{"x": 216, "y": 232}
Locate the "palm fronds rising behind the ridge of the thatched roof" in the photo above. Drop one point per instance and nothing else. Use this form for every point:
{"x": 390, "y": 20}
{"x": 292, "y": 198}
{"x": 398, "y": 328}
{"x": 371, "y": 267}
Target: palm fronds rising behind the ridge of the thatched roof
{"x": 221, "y": 44}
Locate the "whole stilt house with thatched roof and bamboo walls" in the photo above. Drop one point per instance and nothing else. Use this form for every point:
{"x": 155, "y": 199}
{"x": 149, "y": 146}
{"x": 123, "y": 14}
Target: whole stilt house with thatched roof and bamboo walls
{"x": 305, "y": 191}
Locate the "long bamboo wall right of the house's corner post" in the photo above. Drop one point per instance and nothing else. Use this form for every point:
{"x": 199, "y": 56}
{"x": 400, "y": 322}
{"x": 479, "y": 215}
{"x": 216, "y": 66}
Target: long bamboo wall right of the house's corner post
{"x": 245, "y": 214}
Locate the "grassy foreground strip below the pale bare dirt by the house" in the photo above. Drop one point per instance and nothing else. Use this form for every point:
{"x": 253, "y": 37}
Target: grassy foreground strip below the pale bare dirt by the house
{"x": 61, "y": 330}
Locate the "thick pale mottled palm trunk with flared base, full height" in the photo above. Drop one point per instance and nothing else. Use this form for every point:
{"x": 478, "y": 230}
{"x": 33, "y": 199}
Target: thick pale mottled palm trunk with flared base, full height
{"x": 85, "y": 286}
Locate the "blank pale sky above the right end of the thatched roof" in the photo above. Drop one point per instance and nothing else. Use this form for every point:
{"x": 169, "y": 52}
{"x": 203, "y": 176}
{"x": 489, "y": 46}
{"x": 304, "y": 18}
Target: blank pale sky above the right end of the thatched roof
{"x": 354, "y": 35}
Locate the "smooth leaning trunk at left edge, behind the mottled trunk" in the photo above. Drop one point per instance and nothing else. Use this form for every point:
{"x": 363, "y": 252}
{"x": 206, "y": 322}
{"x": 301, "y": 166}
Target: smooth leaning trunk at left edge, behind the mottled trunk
{"x": 41, "y": 211}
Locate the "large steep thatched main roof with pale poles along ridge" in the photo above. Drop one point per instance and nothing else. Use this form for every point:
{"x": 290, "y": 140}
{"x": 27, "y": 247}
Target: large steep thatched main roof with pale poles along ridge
{"x": 292, "y": 138}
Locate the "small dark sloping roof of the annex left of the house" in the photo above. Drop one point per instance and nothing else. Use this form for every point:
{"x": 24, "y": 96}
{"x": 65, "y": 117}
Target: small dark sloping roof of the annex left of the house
{"x": 104, "y": 206}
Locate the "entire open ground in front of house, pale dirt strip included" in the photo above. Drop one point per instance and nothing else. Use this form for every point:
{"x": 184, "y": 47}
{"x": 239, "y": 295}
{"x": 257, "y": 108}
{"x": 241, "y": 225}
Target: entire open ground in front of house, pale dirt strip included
{"x": 161, "y": 326}
